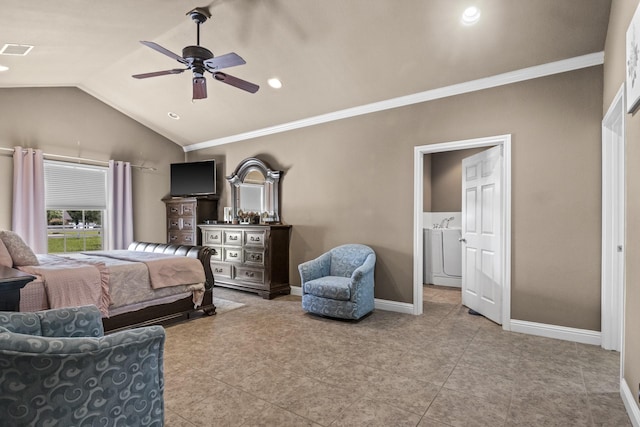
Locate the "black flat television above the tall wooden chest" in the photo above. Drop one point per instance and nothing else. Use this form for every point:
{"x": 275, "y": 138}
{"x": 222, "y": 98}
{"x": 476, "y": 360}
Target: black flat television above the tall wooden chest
{"x": 193, "y": 178}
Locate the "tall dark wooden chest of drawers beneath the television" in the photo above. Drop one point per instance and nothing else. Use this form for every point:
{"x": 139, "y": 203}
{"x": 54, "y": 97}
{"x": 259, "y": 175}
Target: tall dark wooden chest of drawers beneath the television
{"x": 183, "y": 213}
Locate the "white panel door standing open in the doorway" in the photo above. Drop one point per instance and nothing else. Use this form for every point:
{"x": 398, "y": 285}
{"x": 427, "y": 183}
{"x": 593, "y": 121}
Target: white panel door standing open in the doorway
{"x": 481, "y": 225}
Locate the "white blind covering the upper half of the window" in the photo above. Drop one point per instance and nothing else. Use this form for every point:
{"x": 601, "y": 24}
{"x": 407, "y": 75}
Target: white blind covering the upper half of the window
{"x": 75, "y": 187}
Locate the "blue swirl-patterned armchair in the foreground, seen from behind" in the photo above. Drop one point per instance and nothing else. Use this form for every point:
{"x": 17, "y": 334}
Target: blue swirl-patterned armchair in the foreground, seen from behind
{"x": 57, "y": 368}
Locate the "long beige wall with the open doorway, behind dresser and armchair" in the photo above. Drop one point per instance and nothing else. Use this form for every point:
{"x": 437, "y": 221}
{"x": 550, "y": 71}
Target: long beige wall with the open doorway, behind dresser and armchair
{"x": 352, "y": 181}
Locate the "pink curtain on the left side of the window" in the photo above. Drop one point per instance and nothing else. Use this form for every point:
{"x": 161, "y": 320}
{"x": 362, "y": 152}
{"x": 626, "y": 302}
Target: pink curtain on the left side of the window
{"x": 29, "y": 213}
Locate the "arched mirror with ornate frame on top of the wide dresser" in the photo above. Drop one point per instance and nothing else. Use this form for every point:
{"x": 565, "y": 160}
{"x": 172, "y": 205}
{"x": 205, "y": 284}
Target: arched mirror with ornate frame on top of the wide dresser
{"x": 254, "y": 190}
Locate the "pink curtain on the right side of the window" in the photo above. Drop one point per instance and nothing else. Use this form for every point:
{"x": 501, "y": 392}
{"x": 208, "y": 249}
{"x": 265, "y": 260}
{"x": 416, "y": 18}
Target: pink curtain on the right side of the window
{"x": 119, "y": 206}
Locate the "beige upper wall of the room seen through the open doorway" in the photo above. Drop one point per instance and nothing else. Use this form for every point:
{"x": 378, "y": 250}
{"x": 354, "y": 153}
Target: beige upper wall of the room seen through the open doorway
{"x": 446, "y": 179}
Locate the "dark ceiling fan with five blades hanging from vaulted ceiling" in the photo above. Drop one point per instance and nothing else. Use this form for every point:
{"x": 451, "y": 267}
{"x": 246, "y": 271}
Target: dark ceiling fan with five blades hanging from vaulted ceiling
{"x": 199, "y": 59}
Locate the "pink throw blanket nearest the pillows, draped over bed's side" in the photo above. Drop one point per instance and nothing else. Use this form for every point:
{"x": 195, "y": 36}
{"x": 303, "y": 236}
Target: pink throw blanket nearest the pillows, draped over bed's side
{"x": 71, "y": 283}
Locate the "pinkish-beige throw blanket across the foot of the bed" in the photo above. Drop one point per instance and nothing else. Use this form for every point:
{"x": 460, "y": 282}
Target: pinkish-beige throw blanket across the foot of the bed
{"x": 164, "y": 270}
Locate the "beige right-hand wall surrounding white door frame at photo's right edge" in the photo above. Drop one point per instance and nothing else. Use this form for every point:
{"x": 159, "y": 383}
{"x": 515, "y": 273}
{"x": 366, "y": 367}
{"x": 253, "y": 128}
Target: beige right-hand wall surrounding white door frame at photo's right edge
{"x": 614, "y": 75}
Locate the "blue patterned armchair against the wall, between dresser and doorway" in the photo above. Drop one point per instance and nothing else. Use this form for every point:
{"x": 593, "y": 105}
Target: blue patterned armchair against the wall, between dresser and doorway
{"x": 339, "y": 283}
